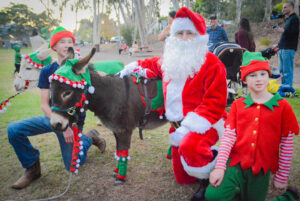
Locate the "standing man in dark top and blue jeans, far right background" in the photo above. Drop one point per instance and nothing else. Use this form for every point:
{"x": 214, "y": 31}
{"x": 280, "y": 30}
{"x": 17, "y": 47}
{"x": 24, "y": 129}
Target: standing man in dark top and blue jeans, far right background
{"x": 288, "y": 44}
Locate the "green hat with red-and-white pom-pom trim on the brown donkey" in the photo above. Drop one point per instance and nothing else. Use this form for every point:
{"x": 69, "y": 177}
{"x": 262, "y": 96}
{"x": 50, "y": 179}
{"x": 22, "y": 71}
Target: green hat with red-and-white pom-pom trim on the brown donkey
{"x": 65, "y": 75}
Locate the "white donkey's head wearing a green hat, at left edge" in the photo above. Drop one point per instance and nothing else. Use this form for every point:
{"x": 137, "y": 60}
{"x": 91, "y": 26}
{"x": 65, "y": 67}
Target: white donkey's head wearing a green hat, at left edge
{"x": 30, "y": 69}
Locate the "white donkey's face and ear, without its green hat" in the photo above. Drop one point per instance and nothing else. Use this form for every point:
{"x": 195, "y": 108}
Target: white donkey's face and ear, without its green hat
{"x": 29, "y": 74}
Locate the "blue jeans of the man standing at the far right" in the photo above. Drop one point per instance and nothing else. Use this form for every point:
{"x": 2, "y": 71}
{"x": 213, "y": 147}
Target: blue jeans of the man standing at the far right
{"x": 286, "y": 66}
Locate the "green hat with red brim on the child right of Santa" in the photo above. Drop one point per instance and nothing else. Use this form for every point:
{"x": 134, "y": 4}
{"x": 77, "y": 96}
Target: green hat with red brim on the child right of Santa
{"x": 253, "y": 61}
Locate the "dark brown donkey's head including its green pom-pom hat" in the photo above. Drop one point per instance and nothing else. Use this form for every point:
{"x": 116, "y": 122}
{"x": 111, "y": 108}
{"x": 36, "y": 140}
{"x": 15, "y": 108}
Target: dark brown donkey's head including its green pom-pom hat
{"x": 68, "y": 87}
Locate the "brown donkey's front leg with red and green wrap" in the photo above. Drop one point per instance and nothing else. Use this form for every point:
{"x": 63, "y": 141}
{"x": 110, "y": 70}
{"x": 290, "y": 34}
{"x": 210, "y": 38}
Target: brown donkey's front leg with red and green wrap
{"x": 123, "y": 144}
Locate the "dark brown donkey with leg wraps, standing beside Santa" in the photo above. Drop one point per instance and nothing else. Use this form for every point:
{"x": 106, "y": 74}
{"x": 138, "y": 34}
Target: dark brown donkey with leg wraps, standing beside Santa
{"x": 115, "y": 101}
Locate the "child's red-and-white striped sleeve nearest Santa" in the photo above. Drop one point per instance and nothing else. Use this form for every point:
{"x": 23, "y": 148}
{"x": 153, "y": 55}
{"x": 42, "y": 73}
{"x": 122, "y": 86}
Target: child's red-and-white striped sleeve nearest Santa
{"x": 227, "y": 142}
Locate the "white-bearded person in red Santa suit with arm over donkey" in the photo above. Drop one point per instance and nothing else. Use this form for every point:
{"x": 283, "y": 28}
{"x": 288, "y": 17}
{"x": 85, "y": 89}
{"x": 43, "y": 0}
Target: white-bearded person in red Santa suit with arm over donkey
{"x": 195, "y": 89}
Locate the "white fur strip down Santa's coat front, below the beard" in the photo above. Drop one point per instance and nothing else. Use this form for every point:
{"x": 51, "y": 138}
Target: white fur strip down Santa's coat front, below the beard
{"x": 174, "y": 107}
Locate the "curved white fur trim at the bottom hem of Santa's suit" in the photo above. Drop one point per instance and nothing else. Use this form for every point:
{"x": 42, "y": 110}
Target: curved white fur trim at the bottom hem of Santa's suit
{"x": 200, "y": 172}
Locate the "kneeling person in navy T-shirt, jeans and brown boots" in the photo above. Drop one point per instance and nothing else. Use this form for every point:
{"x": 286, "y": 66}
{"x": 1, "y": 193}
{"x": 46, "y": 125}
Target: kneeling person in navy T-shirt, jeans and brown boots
{"x": 18, "y": 132}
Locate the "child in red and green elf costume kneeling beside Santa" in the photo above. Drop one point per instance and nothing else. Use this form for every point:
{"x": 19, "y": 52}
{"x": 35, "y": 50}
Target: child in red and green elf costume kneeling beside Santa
{"x": 258, "y": 141}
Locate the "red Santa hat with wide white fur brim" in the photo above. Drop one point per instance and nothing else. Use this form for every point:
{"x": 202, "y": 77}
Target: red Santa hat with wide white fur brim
{"x": 185, "y": 19}
